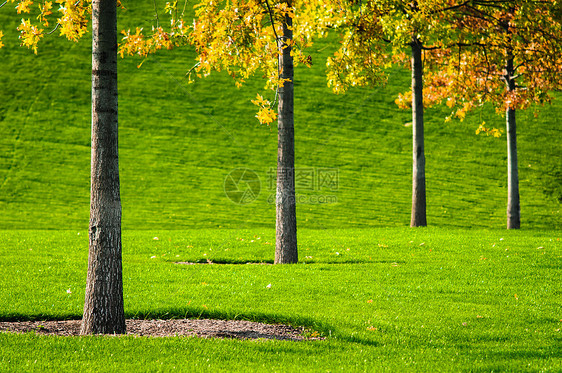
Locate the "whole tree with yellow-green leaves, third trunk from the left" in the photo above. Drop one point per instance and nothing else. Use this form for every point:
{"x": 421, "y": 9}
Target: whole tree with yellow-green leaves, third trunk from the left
{"x": 379, "y": 33}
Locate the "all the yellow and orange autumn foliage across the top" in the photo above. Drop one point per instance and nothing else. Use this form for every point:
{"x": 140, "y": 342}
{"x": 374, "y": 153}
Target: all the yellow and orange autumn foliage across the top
{"x": 465, "y": 42}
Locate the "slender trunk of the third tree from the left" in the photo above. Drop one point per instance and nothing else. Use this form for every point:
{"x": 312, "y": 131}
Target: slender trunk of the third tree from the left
{"x": 418, "y": 218}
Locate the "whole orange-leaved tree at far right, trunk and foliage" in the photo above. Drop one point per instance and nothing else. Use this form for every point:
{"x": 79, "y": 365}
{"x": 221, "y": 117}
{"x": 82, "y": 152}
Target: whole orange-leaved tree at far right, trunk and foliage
{"x": 510, "y": 56}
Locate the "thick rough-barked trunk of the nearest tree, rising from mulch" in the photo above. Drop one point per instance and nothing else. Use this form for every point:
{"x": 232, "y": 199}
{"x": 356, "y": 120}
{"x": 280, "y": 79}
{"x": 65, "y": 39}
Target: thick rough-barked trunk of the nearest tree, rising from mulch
{"x": 103, "y": 308}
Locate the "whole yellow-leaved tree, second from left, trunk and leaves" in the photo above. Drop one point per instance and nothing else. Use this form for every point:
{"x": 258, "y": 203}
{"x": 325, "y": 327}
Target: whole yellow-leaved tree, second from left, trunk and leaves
{"x": 244, "y": 37}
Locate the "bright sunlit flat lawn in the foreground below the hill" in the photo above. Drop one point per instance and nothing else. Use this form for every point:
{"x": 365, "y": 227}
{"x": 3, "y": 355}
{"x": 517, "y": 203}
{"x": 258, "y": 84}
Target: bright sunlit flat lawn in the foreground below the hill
{"x": 386, "y": 298}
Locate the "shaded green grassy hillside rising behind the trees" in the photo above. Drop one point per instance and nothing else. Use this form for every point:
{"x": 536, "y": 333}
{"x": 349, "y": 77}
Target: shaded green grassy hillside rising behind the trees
{"x": 179, "y": 141}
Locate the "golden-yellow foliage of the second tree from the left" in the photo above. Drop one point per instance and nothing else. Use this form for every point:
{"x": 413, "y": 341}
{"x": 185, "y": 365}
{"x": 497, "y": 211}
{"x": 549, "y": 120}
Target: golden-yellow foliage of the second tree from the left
{"x": 239, "y": 37}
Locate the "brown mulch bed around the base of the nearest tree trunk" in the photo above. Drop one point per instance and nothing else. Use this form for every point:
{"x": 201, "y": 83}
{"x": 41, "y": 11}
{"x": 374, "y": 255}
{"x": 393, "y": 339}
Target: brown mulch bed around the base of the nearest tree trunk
{"x": 204, "y": 328}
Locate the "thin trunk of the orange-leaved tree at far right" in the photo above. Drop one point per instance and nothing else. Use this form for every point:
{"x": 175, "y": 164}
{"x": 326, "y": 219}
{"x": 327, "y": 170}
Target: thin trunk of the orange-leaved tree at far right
{"x": 513, "y": 204}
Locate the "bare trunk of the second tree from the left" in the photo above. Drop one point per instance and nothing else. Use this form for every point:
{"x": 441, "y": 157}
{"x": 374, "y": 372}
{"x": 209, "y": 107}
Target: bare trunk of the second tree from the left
{"x": 286, "y": 224}
